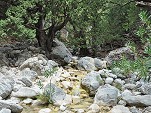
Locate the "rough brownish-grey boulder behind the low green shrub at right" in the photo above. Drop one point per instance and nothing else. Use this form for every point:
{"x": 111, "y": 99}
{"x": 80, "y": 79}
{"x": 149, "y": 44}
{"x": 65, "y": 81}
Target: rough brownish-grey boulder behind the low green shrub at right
{"x": 119, "y": 53}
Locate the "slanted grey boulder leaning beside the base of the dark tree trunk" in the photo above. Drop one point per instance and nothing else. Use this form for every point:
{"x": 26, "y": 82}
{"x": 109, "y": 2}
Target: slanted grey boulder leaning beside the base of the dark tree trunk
{"x": 60, "y": 52}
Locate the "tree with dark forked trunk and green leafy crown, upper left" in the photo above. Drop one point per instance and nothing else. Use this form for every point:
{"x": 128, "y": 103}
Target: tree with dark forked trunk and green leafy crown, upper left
{"x": 39, "y": 18}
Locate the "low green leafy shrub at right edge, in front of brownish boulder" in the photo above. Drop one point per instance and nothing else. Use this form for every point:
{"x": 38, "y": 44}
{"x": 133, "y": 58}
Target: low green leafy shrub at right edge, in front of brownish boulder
{"x": 140, "y": 65}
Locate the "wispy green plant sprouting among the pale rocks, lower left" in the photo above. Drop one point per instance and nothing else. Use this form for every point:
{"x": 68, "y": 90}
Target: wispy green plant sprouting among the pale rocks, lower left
{"x": 47, "y": 94}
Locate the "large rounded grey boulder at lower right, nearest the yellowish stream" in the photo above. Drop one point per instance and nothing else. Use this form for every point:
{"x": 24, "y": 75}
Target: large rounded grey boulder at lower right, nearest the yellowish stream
{"x": 106, "y": 95}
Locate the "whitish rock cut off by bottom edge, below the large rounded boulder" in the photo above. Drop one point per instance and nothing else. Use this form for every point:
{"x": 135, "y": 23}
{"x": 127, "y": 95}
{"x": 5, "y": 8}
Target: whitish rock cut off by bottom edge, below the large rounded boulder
{"x": 120, "y": 109}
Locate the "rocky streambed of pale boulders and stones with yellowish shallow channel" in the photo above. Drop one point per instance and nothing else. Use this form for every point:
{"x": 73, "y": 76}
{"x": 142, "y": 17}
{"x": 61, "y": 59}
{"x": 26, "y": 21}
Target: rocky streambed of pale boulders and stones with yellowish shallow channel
{"x": 85, "y": 85}
